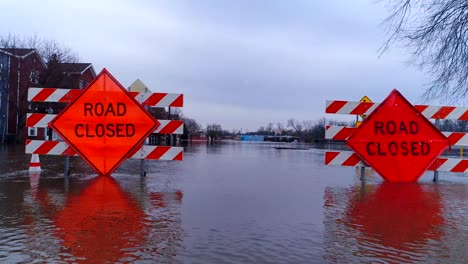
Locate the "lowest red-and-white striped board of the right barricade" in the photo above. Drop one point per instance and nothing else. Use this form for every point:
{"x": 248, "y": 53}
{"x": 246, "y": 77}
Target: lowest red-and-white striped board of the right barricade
{"x": 349, "y": 158}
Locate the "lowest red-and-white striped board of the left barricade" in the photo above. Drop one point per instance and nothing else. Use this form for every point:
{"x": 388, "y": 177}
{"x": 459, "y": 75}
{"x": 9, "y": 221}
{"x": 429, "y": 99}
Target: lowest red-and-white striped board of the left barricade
{"x": 62, "y": 149}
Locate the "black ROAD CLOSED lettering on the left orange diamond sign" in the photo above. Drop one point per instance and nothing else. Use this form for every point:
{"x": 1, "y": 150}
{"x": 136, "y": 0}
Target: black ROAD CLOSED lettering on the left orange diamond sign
{"x": 104, "y": 129}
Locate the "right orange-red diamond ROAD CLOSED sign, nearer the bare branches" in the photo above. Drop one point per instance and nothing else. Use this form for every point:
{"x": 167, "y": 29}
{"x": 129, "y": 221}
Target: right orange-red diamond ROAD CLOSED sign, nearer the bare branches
{"x": 397, "y": 140}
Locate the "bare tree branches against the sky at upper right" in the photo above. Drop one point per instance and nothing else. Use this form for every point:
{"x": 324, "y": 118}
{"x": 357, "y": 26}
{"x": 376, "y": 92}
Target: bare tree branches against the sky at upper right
{"x": 436, "y": 34}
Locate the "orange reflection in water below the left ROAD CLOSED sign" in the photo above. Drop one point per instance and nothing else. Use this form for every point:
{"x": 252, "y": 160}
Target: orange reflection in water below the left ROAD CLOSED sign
{"x": 101, "y": 221}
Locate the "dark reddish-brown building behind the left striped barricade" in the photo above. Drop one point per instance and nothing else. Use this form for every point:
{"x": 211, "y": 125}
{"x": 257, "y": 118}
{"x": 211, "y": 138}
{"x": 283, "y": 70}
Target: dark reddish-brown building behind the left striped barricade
{"x": 24, "y": 68}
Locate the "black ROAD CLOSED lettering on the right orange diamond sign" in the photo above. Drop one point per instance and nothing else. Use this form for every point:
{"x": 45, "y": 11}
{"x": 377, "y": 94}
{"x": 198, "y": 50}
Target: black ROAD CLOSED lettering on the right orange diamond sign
{"x": 397, "y": 147}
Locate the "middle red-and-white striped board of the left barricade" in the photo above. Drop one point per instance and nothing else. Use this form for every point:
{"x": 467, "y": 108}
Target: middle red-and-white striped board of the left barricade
{"x": 166, "y": 126}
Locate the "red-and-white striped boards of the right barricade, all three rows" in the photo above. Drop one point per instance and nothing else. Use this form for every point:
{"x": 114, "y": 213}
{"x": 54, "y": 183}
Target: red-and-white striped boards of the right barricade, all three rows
{"x": 349, "y": 158}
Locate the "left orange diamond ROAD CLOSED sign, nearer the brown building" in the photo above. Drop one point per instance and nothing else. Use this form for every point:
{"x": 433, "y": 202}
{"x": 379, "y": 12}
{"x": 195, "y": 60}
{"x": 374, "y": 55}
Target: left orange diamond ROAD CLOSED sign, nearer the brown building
{"x": 104, "y": 124}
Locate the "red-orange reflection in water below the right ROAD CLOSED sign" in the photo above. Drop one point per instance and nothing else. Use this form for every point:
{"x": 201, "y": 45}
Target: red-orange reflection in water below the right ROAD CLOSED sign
{"x": 401, "y": 216}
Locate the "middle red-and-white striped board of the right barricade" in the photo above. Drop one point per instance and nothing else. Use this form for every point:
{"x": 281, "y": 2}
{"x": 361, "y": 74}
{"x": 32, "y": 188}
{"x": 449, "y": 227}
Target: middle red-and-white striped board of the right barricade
{"x": 343, "y": 133}
